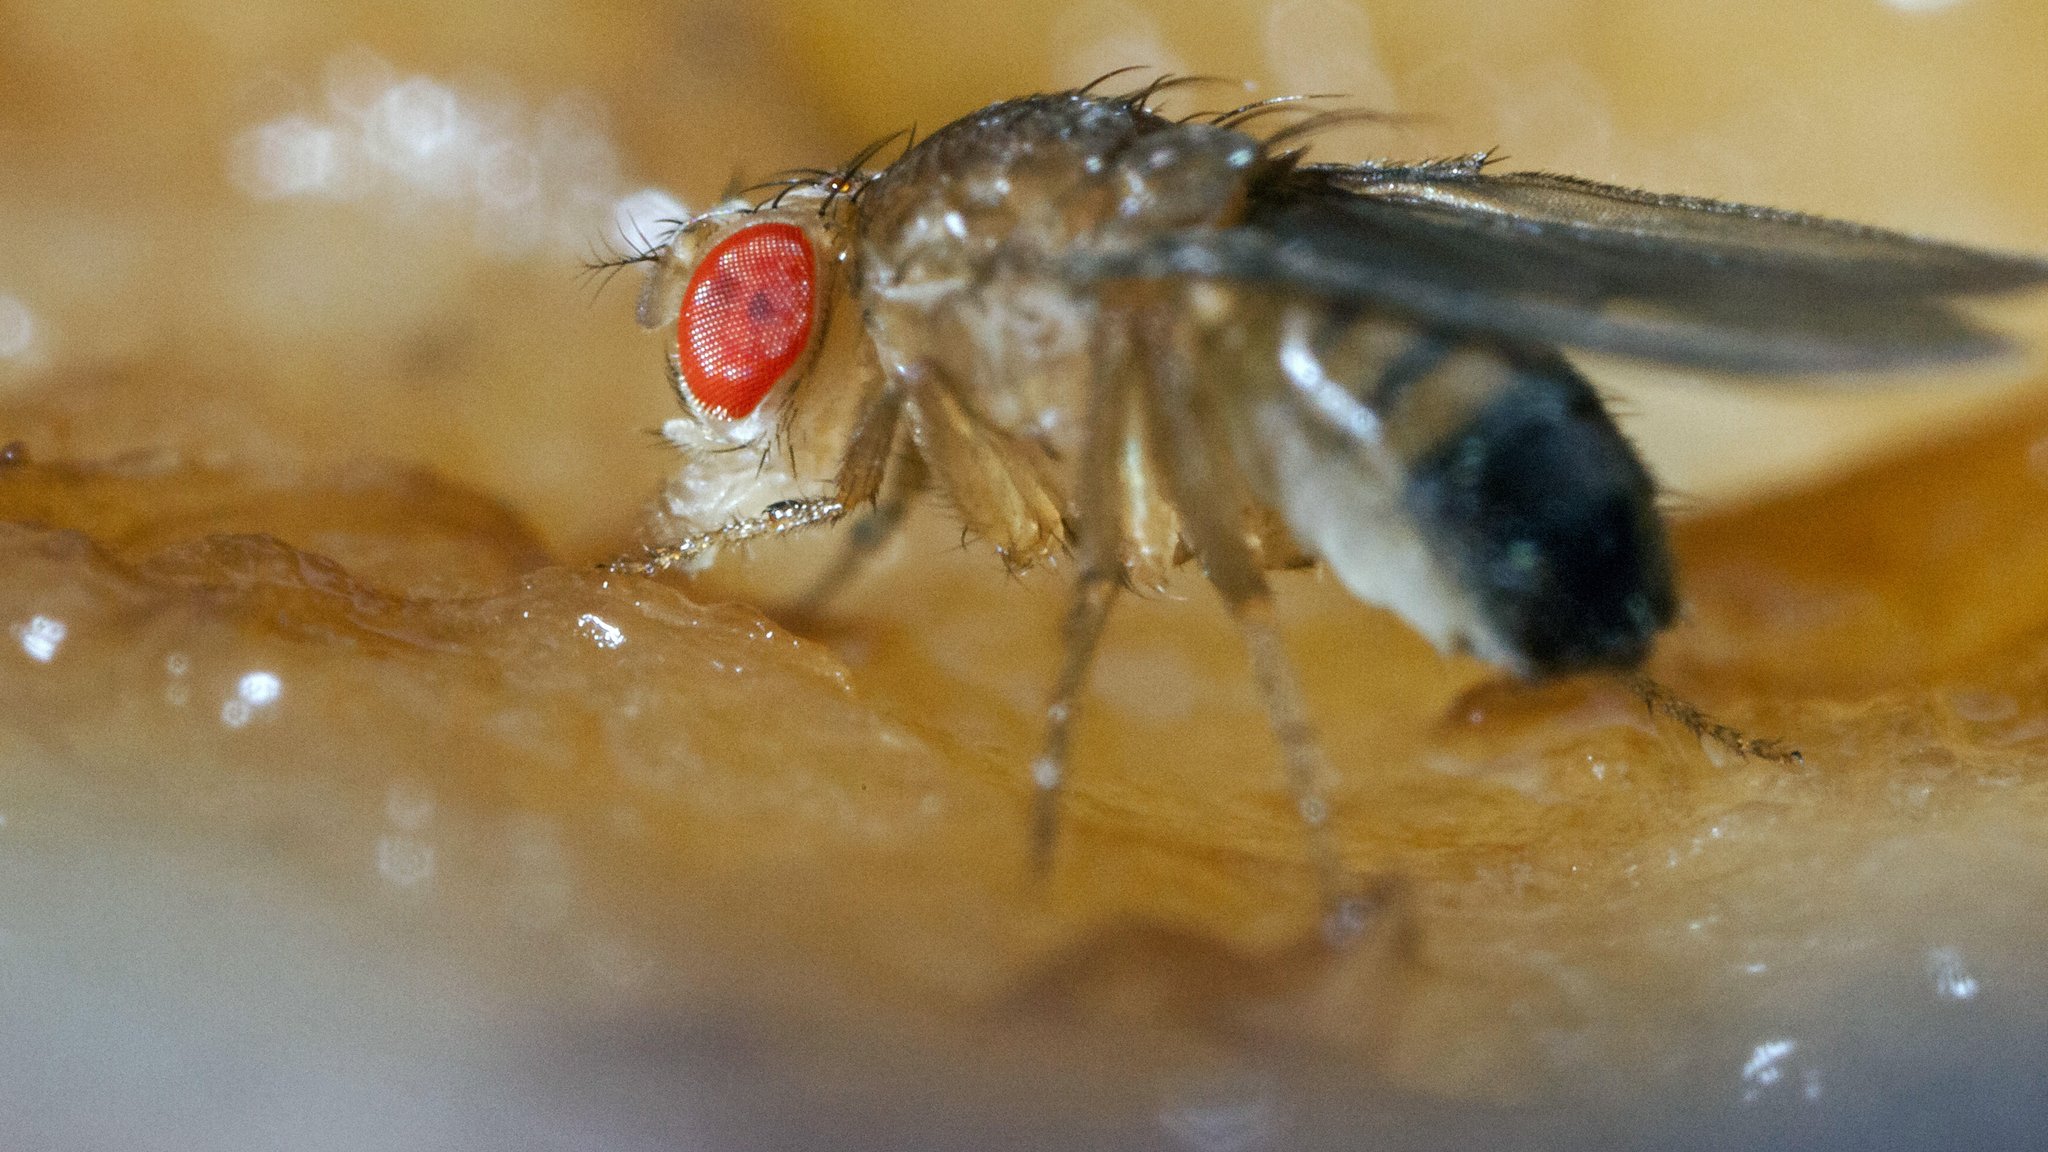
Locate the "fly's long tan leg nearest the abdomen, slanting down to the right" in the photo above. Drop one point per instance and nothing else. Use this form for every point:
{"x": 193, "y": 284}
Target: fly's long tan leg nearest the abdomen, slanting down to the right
{"x": 1211, "y": 507}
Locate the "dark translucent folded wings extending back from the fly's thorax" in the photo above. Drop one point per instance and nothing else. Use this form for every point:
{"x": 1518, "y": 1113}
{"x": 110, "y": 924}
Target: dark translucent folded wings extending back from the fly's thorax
{"x": 1560, "y": 261}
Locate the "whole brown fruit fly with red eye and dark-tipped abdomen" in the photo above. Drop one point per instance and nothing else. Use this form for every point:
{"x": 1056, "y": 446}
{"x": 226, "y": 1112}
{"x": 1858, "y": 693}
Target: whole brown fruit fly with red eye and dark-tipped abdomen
{"x": 1138, "y": 341}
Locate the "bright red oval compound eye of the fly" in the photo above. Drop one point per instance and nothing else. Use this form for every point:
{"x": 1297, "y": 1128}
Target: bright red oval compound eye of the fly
{"x": 746, "y": 317}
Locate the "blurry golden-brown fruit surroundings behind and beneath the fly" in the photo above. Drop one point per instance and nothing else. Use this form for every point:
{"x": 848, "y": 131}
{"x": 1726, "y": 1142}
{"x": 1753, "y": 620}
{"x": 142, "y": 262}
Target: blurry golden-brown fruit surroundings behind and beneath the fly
{"x": 431, "y": 837}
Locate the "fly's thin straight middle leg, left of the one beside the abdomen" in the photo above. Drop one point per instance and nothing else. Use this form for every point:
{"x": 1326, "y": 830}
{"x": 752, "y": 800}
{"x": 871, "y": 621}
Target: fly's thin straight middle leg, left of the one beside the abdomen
{"x": 1099, "y": 540}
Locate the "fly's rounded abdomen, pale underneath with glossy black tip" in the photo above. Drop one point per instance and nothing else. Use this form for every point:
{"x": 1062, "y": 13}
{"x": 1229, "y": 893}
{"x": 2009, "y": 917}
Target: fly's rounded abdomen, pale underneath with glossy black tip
{"x": 1476, "y": 489}
